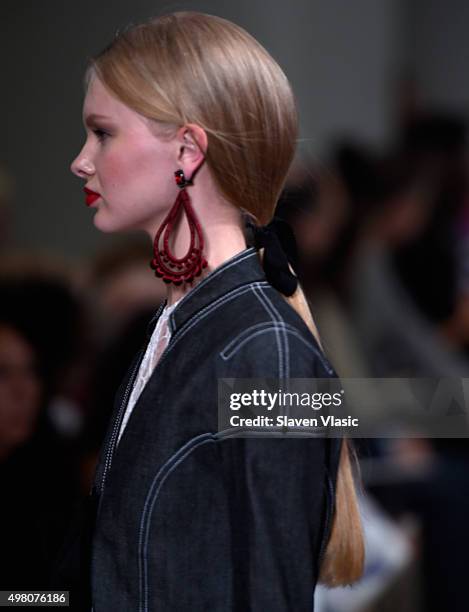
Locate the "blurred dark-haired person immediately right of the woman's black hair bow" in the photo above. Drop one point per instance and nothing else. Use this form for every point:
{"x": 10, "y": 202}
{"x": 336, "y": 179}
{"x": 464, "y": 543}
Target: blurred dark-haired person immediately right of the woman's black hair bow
{"x": 316, "y": 206}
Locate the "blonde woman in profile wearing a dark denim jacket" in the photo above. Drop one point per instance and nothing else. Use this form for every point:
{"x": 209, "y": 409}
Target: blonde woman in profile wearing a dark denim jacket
{"x": 191, "y": 126}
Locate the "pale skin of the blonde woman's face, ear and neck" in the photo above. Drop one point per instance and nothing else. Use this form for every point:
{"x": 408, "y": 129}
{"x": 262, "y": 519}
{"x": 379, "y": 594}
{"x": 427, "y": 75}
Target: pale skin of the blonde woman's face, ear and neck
{"x": 128, "y": 161}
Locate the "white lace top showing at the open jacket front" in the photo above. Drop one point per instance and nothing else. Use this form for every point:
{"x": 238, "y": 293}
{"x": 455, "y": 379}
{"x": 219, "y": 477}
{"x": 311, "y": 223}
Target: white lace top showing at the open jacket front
{"x": 158, "y": 342}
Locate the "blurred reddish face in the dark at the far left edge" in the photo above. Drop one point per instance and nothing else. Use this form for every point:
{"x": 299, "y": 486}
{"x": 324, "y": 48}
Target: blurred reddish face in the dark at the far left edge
{"x": 20, "y": 390}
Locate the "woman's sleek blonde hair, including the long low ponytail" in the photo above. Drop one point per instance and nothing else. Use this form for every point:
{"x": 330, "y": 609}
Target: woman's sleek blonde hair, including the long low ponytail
{"x": 189, "y": 67}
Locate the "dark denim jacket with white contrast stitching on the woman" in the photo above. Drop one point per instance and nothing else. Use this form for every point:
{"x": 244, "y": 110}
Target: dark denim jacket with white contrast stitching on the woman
{"x": 189, "y": 521}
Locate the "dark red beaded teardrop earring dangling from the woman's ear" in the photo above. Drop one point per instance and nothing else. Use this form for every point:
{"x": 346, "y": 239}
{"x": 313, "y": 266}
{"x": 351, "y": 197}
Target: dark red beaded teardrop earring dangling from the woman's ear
{"x": 164, "y": 263}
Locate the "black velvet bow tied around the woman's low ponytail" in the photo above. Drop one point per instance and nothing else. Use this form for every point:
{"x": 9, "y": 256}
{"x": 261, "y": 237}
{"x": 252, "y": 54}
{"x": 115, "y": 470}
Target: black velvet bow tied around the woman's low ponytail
{"x": 278, "y": 242}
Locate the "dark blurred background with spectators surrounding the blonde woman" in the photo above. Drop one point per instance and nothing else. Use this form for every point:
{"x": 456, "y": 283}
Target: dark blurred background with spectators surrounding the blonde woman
{"x": 378, "y": 199}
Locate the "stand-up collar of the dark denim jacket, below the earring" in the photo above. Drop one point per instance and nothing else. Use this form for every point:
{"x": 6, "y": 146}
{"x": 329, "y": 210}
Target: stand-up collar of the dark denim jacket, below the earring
{"x": 242, "y": 269}
